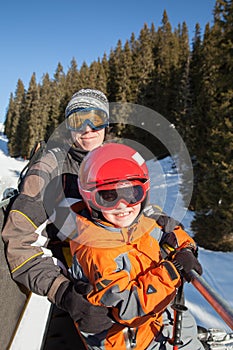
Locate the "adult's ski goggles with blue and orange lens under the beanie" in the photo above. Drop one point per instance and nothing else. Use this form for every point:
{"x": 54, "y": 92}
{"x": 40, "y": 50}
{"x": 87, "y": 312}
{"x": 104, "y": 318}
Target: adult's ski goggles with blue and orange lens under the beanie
{"x": 96, "y": 118}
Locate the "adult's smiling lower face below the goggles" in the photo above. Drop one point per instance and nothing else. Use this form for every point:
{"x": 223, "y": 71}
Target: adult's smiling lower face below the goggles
{"x": 88, "y": 139}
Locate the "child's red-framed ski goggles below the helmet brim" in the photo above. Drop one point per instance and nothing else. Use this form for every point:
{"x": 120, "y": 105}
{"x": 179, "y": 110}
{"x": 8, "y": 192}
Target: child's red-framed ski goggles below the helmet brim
{"x": 109, "y": 196}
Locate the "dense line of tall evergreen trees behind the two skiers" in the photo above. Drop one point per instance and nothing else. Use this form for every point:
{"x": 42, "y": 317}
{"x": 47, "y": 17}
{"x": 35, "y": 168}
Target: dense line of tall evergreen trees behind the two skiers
{"x": 190, "y": 85}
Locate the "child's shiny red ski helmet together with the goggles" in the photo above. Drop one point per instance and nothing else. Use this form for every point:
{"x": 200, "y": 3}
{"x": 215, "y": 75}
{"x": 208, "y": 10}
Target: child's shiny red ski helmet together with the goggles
{"x": 113, "y": 167}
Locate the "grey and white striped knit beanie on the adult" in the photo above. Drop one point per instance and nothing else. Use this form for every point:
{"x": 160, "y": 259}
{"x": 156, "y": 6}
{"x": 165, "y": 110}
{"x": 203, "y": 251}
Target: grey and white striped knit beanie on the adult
{"x": 87, "y": 98}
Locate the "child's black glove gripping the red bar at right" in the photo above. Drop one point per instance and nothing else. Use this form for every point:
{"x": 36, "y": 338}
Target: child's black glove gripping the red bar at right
{"x": 185, "y": 261}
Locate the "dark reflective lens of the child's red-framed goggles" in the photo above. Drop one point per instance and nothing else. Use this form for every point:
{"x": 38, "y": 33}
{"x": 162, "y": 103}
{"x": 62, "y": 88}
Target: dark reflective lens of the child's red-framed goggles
{"x": 110, "y": 198}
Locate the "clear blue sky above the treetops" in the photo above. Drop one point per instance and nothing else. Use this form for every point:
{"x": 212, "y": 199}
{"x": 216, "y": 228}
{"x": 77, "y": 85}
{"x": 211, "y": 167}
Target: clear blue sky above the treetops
{"x": 36, "y": 35}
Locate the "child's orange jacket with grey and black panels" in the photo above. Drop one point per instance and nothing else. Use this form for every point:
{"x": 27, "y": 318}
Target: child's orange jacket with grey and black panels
{"x": 128, "y": 274}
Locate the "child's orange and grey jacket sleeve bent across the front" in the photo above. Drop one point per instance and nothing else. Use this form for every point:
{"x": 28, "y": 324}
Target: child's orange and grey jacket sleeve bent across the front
{"x": 130, "y": 299}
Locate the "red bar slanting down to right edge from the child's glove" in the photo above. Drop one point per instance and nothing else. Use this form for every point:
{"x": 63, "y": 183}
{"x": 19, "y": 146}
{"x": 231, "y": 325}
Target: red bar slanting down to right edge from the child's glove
{"x": 215, "y": 300}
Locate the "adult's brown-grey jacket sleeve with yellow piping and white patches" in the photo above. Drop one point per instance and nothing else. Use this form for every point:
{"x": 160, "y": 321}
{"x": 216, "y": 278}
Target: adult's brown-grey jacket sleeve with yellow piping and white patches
{"x": 31, "y": 262}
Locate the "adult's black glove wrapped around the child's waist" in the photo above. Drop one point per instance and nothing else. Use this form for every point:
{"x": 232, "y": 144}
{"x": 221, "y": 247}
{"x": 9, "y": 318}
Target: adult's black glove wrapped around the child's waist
{"x": 90, "y": 318}
